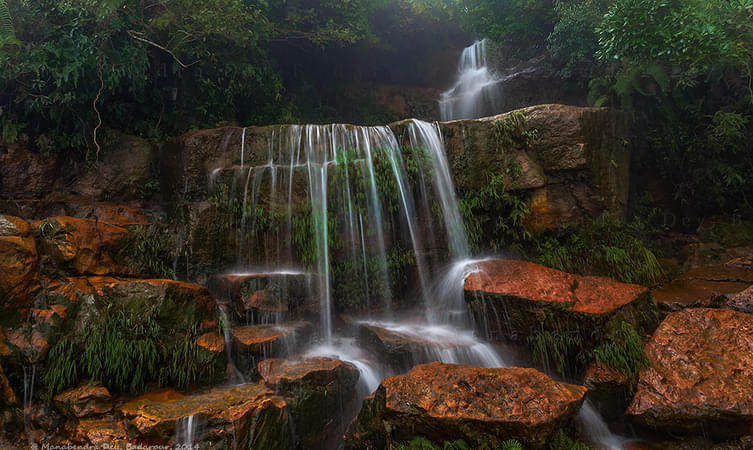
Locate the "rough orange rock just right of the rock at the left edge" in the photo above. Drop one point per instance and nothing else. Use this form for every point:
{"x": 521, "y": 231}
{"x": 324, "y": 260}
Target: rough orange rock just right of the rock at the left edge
{"x": 82, "y": 246}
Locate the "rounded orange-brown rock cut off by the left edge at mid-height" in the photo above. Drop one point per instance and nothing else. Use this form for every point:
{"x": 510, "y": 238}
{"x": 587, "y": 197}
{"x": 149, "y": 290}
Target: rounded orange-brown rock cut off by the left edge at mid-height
{"x": 18, "y": 262}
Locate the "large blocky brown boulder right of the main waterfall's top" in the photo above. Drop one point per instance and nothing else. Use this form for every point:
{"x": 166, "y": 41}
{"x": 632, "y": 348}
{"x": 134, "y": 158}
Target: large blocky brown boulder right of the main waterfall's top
{"x": 581, "y": 154}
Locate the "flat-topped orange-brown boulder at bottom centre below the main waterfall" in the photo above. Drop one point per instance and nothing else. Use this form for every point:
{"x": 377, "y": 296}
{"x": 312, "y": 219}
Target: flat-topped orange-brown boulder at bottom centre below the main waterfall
{"x": 446, "y": 402}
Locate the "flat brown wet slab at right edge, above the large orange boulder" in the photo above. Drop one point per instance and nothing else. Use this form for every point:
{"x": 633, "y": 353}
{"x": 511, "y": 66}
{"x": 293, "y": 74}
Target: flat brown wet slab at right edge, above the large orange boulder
{"x": 702, "y": 285}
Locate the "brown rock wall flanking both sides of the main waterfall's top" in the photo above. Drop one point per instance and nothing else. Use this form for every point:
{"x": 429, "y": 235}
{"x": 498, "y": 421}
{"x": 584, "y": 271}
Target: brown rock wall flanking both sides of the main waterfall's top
{"x": 577, "y": 166}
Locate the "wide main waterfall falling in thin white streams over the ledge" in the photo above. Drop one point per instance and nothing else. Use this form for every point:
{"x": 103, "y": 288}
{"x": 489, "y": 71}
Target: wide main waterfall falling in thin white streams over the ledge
{"x": 354, "y": 203}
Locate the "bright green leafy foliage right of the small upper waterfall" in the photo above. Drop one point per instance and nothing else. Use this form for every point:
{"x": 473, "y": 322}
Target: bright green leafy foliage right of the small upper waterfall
{"x": 684, "y": 67}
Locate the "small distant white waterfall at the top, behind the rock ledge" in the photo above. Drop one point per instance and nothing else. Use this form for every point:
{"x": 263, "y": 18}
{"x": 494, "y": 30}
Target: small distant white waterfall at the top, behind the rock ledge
{"x": 476, "y": 92}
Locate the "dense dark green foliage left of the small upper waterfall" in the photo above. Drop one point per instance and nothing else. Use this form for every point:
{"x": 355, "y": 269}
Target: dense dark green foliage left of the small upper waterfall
{"x": 158, "y": 68}
